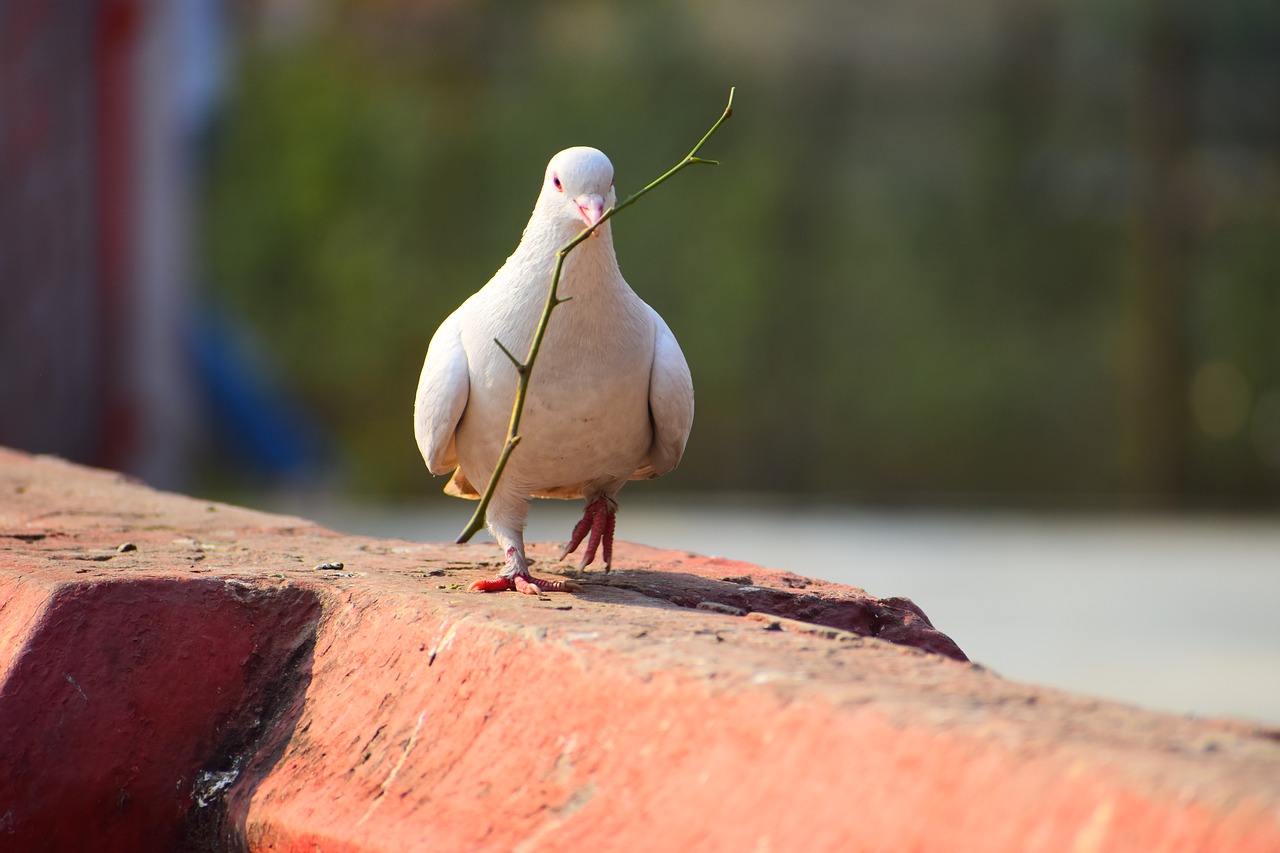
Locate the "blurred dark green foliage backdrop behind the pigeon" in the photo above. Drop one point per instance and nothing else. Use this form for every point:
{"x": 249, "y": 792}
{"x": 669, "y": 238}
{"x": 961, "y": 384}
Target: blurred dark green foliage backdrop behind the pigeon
{"x": 927, "y": 268}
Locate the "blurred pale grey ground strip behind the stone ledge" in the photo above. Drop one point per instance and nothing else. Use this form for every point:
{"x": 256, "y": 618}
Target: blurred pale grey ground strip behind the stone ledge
{"x": 1176, "y": 614}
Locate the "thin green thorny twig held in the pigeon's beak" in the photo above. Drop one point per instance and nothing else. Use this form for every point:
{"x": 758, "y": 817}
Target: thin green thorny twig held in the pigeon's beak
{"x": 527, "y": 368}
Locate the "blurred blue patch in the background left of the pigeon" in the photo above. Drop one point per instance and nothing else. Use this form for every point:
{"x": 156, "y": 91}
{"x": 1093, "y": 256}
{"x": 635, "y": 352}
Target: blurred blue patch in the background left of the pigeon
{"x": 252, "y": 412}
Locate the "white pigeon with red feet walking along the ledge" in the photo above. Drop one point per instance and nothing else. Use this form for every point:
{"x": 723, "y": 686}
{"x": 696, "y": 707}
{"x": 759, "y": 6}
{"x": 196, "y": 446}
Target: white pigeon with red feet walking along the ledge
{"x": 610, "y": 399}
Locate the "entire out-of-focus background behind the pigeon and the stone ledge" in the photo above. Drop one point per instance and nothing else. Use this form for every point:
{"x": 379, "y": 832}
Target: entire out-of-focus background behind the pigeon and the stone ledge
{"x": 984, "y": 305}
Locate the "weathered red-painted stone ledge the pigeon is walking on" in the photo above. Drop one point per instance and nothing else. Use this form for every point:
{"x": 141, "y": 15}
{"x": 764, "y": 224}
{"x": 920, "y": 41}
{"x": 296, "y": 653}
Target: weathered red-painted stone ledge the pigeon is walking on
{"x": 184, "y": 674}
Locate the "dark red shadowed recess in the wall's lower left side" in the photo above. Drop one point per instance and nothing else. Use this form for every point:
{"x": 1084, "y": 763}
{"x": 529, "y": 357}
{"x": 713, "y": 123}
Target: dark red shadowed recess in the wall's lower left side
{"x": 126, "y": 688}
